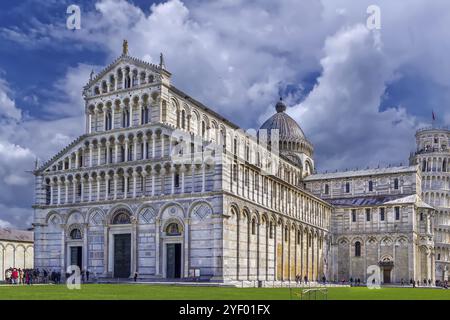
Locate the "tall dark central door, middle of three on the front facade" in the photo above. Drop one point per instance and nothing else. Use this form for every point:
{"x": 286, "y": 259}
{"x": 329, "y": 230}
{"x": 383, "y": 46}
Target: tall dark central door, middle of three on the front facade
{"x": 122, "y": 255}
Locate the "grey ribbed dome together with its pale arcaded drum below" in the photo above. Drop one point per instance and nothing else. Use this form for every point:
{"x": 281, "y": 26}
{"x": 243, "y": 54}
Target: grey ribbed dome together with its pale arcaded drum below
{"x": 292, "y": 141}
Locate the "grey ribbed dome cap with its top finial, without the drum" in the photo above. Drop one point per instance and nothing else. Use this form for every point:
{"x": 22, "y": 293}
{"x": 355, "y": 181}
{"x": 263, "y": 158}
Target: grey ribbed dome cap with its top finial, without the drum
{"x": 289, "y": 130}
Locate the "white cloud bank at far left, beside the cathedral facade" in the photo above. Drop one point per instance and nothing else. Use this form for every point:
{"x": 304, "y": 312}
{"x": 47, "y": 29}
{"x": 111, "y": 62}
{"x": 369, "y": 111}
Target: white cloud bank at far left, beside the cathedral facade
{"x": 22, "y": 141}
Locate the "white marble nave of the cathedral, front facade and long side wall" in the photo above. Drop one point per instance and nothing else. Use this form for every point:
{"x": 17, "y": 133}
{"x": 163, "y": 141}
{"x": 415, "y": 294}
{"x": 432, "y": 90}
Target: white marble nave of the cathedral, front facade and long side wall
{"x": 153, "y": 160}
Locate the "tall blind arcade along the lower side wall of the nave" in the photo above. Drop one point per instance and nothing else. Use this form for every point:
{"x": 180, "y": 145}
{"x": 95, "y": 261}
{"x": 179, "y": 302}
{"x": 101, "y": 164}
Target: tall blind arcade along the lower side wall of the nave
{"x": 277, "y": 251}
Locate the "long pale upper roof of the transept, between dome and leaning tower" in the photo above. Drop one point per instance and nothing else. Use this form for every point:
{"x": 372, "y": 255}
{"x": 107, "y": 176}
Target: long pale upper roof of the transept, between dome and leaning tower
{"x": 360, "y": 173}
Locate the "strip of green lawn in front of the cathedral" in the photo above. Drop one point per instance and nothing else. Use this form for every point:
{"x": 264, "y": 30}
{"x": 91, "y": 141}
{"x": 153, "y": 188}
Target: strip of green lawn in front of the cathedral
{"x": 152, "y": 292}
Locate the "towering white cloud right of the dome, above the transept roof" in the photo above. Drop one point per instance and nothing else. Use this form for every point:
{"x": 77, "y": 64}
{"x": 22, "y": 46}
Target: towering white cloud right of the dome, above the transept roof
{"x": 342, "y": 113}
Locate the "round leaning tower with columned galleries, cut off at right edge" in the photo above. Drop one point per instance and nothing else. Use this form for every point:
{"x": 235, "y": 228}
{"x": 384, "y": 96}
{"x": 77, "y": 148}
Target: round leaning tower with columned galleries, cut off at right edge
{"x": 433, "y": 156}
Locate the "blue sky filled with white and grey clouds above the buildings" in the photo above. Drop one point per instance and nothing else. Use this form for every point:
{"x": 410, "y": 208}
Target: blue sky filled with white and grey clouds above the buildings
{"x": 358, "y": 94}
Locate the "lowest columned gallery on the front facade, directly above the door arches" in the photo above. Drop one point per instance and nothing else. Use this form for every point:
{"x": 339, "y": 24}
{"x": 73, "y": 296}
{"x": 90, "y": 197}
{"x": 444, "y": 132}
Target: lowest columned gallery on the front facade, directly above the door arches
{"x": 156, "y": 180}
